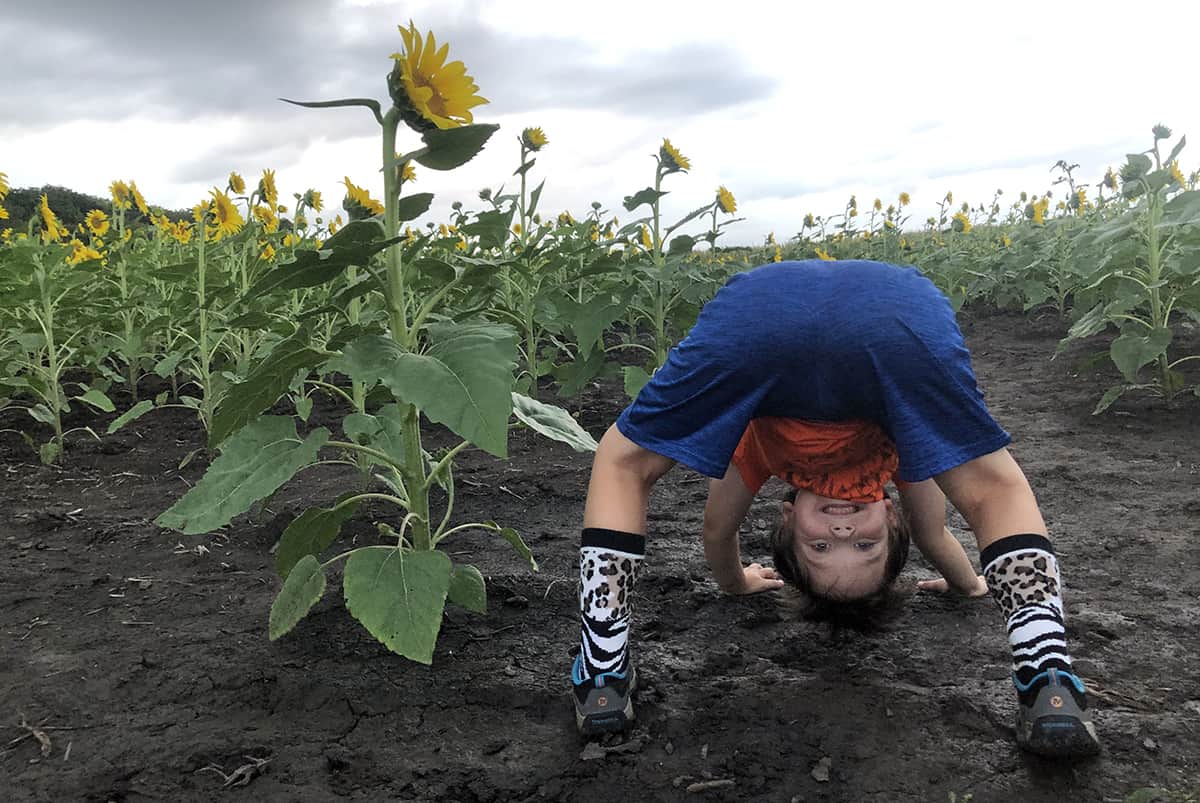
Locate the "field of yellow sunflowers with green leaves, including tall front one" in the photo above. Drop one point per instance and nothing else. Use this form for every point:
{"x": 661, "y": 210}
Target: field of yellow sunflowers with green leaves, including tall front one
{"x": 251, "y": 313}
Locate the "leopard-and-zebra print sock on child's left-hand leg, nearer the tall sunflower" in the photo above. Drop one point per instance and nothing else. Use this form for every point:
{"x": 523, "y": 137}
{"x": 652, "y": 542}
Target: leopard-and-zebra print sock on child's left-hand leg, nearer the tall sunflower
{"x": 609, "y": 564}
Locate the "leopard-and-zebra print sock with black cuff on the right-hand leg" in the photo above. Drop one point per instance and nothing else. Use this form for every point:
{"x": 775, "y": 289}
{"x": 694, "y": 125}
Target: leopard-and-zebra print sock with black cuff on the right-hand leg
{"x": 1023, "y": 576}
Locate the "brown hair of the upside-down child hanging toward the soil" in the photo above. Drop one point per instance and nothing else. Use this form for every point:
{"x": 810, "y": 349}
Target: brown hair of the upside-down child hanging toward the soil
{"x": 871, "y": 614}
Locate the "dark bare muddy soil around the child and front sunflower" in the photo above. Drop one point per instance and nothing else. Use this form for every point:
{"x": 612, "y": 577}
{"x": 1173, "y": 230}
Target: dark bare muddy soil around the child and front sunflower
{"x": 145, "y": 661}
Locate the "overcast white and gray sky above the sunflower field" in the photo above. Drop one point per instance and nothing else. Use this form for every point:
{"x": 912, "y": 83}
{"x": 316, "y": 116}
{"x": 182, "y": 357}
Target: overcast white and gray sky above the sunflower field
{"x": 794, "y": 107}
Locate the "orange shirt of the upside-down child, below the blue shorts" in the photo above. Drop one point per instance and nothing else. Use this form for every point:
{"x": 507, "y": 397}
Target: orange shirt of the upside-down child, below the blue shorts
{"x": 839, "y": 460}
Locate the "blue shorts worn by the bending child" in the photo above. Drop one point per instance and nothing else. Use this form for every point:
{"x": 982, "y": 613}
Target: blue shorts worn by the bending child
{"x": 824, "y": 341}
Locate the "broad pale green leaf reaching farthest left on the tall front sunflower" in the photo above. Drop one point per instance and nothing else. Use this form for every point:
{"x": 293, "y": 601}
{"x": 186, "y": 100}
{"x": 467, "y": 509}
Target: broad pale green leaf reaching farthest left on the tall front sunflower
{"x": 254, "y": 464}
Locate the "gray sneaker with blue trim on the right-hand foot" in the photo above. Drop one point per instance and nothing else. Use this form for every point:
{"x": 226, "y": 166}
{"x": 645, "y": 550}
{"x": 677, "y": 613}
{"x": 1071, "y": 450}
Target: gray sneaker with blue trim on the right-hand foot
{"x": 1058, "y": 723}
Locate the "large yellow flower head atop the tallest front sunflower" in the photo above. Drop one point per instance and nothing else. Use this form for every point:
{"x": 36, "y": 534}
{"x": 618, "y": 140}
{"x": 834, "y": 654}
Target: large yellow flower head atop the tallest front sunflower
{"x": 430, "y": 93}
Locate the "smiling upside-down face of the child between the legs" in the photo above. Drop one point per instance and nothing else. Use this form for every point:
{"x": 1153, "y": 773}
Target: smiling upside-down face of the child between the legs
{"x": 842, "y": 547}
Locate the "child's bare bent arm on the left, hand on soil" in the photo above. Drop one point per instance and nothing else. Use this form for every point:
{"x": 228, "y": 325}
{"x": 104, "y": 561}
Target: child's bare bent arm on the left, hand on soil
{"x": 729, "y": 501}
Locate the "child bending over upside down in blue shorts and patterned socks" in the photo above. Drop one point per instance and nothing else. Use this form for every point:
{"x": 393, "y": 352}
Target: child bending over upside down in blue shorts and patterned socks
{"x": 835, "y": 376}
